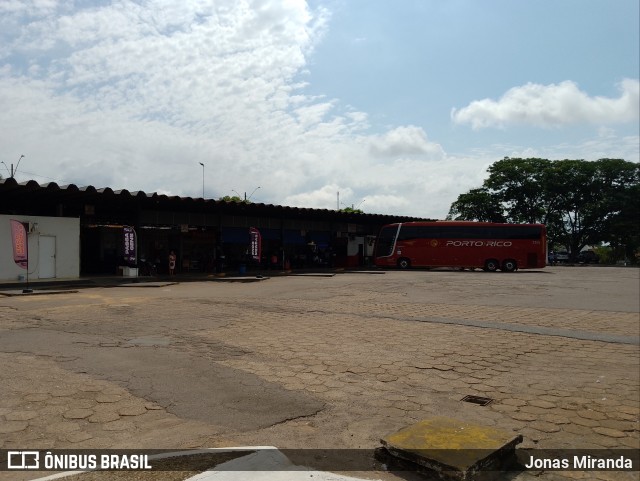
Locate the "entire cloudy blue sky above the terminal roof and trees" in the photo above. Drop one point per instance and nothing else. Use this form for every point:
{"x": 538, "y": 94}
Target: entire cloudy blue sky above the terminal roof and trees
{"x": 391, "y": 107}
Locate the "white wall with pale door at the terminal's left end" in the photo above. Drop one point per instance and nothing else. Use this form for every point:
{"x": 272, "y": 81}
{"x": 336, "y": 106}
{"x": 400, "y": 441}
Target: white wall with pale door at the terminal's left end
{"x": 59, "y": 236}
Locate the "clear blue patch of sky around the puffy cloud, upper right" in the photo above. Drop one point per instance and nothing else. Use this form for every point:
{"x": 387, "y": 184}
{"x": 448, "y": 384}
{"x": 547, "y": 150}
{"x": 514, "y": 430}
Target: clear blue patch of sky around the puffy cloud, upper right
{"x": 415, "y": 63}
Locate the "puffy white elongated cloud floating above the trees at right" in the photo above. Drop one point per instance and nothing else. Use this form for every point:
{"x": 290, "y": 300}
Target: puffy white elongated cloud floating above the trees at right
{"x": 552, "y": 105}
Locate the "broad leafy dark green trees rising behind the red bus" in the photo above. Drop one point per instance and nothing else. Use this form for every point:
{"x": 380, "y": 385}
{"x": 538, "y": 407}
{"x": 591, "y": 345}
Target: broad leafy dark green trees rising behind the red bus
{"x": 581, "y": 202}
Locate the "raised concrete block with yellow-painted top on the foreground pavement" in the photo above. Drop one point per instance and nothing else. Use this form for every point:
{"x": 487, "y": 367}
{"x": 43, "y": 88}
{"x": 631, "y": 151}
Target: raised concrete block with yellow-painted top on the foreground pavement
{"x": 454, "y": 449}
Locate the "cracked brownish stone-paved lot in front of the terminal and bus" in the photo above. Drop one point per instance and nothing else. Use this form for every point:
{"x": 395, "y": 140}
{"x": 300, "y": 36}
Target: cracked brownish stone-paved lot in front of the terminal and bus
{"x": 326, "y": 362}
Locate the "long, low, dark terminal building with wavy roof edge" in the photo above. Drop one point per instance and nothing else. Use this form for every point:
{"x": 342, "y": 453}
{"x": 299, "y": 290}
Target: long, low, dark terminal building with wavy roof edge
{"x": 78, "y": 231}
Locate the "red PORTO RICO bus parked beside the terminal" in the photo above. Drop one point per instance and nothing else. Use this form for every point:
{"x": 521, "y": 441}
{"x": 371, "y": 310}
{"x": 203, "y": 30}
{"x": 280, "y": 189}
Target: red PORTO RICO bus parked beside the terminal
{"x": 483, "y": 245}
